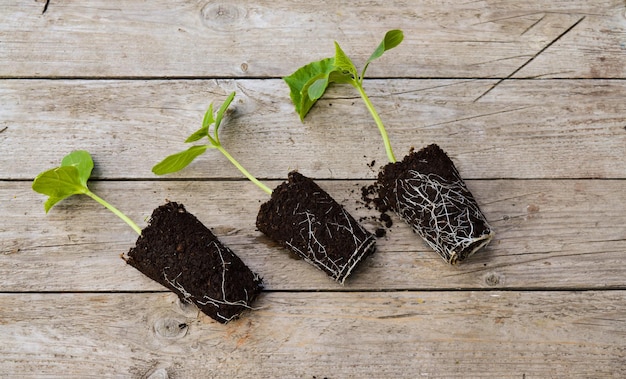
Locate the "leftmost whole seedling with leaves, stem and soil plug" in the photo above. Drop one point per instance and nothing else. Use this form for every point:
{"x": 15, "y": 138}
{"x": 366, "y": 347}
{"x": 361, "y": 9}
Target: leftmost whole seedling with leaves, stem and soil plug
{"x": 175, "y": 249}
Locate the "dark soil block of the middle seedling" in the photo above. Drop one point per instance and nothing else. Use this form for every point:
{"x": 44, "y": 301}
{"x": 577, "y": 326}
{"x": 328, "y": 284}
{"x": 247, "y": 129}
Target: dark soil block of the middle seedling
{"x": 306, "y": 220}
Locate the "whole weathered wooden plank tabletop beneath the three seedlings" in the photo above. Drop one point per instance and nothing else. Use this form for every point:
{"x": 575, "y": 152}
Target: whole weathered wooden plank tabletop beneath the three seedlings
{"x": 528, "y": 99}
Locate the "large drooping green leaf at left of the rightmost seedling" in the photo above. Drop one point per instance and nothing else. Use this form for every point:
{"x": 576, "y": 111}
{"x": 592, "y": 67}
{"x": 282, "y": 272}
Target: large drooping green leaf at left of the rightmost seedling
{"x": 303, "y": 78}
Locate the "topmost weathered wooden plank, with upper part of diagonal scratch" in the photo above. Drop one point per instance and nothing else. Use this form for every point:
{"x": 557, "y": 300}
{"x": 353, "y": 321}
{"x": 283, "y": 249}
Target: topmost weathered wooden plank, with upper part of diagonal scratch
{"x": 115, "y": 38}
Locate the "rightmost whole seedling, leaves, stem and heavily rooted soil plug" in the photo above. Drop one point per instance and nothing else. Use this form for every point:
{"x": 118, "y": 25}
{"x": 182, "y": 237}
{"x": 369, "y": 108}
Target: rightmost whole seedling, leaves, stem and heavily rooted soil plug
{"x": 425, "y": 189}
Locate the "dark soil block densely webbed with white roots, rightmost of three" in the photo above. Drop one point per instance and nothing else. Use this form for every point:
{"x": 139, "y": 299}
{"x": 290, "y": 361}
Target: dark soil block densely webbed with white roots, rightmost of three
{"x": 426, "y": 190}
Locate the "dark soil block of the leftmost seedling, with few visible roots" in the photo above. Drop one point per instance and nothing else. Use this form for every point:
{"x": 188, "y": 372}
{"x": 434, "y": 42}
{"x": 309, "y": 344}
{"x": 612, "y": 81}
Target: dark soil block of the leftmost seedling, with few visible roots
{"x": 179, "y": 252}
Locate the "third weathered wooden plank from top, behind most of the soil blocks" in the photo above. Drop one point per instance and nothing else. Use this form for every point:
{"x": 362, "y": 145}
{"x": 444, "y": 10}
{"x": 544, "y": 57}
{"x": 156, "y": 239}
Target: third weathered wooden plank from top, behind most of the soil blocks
{"x": 550, "y": 234}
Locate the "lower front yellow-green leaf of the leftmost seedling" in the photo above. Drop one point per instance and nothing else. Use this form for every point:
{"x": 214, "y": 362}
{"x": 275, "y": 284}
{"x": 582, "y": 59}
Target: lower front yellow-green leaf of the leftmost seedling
{"x": 59, "y": 183}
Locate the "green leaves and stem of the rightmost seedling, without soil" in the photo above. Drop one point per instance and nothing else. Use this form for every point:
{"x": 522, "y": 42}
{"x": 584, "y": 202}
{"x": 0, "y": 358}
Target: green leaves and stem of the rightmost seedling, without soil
{"x": 308, "y": 83}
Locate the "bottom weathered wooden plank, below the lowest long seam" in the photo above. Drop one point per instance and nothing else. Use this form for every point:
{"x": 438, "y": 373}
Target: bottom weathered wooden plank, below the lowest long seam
{"x": 305, "y": 335}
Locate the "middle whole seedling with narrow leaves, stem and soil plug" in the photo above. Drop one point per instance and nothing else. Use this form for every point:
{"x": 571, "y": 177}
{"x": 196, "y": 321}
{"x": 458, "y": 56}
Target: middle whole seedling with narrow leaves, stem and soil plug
{"x": 300, "y": 215}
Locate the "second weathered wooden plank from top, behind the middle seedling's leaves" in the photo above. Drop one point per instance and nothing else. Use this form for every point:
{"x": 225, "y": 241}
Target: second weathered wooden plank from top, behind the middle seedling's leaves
{"x": 520, "y": 129}
